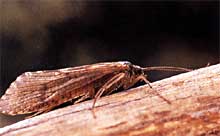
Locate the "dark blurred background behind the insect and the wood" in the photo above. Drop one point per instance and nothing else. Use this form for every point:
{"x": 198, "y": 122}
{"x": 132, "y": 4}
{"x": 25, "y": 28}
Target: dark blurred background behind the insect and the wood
{"x": 46, "y": 34}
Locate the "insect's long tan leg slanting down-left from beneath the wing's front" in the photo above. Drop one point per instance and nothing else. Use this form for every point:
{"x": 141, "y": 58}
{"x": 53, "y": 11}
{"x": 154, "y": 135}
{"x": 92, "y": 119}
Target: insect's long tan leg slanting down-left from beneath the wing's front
{"x": 107, "y": 85}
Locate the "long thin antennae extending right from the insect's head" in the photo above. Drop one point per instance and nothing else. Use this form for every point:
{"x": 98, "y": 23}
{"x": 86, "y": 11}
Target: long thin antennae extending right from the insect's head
{"x": 166, "y": 68}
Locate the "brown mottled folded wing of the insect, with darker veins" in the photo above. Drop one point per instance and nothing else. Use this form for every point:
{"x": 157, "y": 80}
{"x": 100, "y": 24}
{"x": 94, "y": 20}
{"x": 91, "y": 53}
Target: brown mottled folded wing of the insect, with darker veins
{"x": 33, "y": 88}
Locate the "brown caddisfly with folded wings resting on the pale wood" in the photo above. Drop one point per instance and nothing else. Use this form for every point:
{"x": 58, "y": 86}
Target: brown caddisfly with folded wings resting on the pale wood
{"x": 41, "y": 91}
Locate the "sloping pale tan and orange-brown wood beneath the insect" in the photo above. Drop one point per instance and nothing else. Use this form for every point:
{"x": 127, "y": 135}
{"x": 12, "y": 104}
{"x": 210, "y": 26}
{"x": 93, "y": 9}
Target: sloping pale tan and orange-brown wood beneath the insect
{"x": 194, "y": 110}
